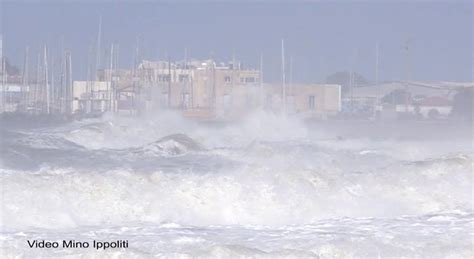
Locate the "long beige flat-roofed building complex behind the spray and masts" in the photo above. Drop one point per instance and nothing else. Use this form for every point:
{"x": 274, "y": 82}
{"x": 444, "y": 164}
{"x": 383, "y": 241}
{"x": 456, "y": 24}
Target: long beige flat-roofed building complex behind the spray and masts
{"x": 201, "y": 89}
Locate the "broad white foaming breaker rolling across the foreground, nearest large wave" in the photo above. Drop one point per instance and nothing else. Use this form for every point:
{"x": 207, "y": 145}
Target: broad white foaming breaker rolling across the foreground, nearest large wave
{"x": 61, "y": 198}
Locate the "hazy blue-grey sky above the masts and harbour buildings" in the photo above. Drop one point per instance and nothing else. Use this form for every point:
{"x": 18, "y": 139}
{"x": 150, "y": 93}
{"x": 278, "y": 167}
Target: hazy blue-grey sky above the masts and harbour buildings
{"x": 321, "y": 37}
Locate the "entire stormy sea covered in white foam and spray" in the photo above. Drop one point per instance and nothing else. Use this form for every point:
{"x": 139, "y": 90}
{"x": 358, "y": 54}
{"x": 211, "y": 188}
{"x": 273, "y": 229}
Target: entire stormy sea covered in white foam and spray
{"x": 264, "y": 187}
